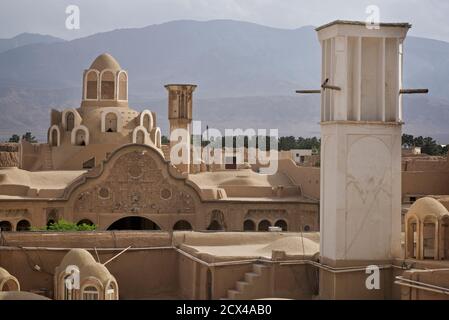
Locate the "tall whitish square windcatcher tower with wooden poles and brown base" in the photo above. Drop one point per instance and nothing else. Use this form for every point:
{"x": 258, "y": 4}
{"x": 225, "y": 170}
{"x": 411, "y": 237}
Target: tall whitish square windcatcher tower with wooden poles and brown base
{"x": 361, "y": 128}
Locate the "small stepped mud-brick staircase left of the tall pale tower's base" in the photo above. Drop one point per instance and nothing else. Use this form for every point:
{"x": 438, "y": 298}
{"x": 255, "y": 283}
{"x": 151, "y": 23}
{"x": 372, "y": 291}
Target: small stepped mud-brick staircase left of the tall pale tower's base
{"x": 255, "y": 285}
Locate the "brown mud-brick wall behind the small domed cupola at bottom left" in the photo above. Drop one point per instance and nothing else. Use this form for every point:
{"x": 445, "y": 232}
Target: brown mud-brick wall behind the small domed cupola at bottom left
{"x": 148, "y": 271}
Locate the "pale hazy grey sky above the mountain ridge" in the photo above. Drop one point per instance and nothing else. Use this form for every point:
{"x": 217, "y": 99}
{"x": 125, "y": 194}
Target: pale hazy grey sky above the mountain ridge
{"x": 429, "y": 17}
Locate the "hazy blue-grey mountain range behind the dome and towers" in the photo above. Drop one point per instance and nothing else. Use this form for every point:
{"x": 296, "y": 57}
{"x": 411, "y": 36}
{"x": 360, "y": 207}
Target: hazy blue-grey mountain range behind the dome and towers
{"x": 246, "y": 75}
